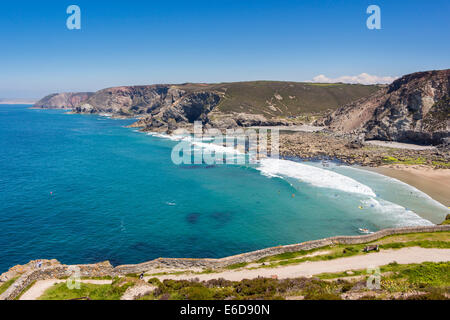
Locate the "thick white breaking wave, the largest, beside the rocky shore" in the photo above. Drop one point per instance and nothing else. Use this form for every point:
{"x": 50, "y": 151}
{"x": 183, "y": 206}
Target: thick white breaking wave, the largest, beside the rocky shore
{"x": 313, "y": 175}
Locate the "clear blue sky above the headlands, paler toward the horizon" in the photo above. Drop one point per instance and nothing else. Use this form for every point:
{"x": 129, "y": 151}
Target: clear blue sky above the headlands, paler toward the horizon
{"x": 144, "y": 42}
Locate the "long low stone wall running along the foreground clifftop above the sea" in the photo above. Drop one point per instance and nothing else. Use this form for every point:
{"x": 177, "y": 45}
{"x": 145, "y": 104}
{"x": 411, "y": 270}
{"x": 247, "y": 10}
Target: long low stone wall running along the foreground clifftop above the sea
{"x": 105, "y": 269}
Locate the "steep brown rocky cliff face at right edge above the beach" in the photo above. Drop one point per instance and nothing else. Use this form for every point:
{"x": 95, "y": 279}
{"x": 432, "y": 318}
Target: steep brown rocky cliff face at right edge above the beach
{"x": 414, "y": 108}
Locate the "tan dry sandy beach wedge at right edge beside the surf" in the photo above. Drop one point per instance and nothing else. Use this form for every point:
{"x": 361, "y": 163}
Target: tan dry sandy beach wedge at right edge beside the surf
{"x": 434, "y": 182}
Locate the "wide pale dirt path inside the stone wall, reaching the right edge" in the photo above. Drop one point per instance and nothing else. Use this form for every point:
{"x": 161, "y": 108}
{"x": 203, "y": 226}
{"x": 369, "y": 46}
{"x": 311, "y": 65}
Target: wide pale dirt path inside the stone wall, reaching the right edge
{"x": 401, "y": 256}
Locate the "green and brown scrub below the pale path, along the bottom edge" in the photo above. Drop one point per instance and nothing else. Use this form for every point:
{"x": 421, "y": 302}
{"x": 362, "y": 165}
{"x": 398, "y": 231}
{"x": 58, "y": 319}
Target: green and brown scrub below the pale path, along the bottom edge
{"x": 419, "y": 281}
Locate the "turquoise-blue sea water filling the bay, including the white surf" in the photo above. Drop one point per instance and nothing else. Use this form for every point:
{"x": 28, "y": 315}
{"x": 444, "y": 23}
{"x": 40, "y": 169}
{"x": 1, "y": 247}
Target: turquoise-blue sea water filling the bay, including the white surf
{"x": 84, "y": 189}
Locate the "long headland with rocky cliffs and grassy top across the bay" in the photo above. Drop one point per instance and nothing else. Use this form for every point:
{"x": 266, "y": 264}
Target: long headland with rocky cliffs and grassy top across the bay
{"x": 224, "y": 105}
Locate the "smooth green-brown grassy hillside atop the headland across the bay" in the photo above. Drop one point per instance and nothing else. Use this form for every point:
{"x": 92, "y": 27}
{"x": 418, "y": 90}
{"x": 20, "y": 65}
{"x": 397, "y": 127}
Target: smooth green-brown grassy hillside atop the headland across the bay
{"x": 283, "y": 99}
